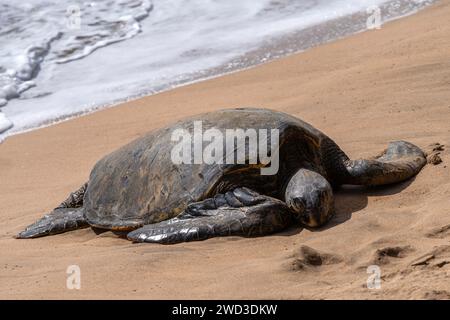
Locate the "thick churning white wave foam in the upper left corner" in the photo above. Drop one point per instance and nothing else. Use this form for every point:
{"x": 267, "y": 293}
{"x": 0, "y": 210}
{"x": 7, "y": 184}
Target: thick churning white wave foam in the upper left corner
{"x": 104, "y": 23}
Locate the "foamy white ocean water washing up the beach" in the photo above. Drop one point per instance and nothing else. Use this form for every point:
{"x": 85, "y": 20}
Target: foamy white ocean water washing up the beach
{"x": 60, "y": 59}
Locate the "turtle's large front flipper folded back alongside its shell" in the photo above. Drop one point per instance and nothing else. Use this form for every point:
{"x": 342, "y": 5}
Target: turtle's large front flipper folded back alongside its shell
{"x": 240, "y": 212}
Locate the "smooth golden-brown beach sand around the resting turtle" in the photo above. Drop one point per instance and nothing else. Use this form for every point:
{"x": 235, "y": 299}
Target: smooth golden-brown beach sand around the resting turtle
{"x": 363, "y": 91}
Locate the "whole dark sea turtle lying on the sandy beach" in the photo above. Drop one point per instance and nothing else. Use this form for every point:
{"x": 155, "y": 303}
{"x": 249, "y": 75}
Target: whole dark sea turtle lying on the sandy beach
{"x": 140, "y": 191}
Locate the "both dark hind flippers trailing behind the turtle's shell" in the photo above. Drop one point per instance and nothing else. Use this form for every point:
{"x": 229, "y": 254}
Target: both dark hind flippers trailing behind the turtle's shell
{"x": 66, "y": 217}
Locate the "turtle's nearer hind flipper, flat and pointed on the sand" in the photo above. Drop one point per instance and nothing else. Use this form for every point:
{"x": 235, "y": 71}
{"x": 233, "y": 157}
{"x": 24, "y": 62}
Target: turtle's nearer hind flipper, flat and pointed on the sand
{"x": 58, "y": 221}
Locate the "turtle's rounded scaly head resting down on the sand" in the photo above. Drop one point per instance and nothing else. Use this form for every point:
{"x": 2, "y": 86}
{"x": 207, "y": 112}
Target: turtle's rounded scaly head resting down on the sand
{"x": 310, "y": 197}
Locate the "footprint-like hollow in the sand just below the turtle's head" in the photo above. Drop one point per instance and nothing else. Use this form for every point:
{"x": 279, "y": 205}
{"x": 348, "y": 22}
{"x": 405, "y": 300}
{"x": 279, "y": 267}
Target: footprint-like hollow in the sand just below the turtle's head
{"x": 307, "y": 258}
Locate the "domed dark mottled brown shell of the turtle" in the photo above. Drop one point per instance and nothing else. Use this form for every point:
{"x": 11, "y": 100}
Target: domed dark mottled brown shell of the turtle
{"x": 139, "y": 184}
